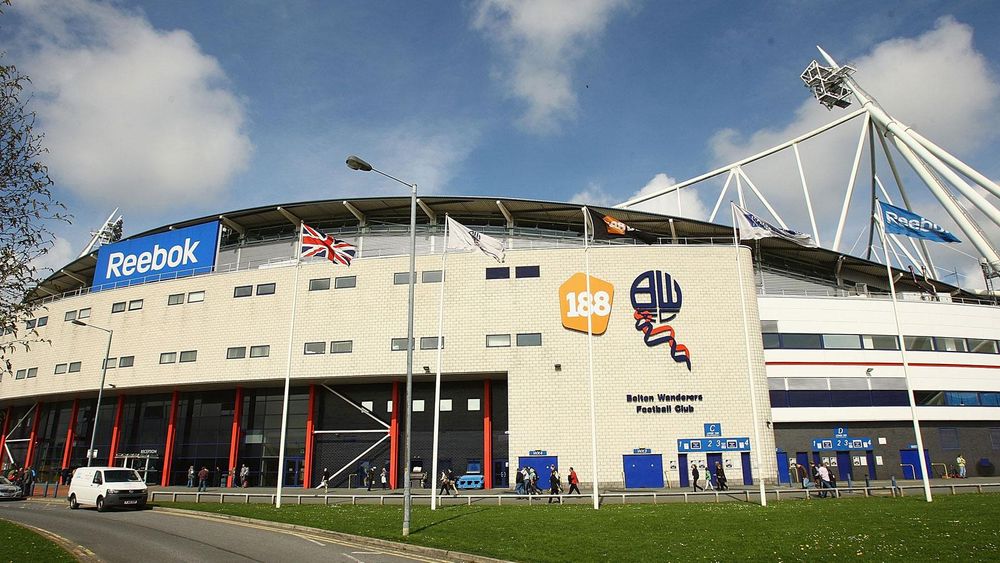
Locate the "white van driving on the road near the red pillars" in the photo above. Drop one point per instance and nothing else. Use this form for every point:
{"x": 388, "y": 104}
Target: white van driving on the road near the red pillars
{"x": 106, "y": 487}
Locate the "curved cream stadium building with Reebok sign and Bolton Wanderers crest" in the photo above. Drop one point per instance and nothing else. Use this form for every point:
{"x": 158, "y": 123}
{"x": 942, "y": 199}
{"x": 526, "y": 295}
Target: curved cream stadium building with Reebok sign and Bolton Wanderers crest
{"x": 205, "y": 318}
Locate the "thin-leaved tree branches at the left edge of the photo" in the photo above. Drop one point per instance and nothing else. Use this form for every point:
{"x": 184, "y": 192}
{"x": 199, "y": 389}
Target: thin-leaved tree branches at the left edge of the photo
{"x": 27, "y": 207}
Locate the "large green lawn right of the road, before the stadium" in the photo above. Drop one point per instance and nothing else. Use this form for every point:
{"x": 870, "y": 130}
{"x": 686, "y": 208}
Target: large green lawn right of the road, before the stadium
{"x": 965, "y": 527}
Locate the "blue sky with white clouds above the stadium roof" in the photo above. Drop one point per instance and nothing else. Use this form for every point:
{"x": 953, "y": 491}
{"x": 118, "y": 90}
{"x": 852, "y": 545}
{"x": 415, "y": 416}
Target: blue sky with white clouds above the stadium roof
{"x": 176, "y": 109}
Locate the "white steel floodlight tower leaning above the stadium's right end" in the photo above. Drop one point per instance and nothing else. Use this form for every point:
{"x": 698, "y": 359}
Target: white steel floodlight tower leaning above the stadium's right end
{"x": 832, "y": 85}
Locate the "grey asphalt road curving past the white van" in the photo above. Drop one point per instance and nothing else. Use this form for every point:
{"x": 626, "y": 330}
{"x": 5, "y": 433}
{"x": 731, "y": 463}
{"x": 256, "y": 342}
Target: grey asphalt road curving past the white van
{"x": 151, "y": 535}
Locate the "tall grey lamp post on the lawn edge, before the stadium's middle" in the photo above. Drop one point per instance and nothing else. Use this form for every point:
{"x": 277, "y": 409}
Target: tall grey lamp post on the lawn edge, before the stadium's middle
{"x": 356, "y": 163}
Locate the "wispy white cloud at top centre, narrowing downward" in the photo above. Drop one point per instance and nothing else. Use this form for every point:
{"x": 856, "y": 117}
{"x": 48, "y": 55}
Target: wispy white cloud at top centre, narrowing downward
{"x": 541, "y": 40}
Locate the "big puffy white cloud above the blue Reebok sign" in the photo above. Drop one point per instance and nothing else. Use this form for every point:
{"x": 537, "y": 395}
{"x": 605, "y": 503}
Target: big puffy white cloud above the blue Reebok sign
{"x": 131, "y": 114}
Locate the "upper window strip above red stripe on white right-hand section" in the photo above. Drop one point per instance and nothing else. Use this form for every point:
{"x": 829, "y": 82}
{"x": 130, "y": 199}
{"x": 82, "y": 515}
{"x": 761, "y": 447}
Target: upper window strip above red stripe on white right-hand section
{"x": 802, "y": 341}
